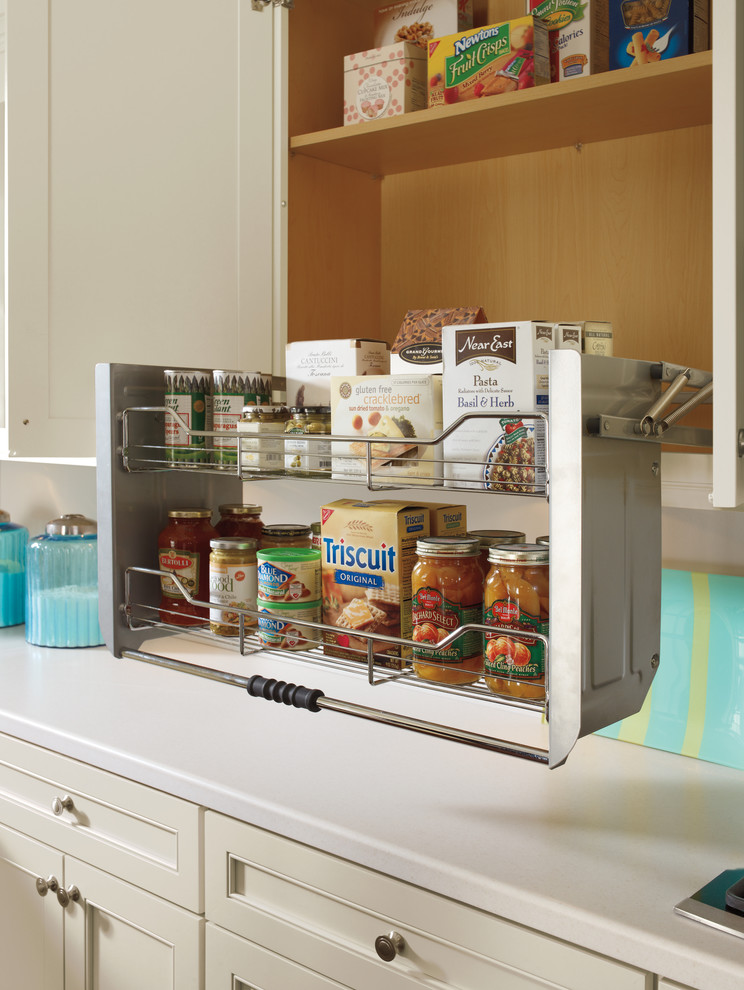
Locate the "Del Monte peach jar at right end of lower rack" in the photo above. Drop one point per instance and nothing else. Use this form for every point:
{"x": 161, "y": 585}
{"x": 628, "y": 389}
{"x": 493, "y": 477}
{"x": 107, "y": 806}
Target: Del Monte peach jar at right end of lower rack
{"x": 517, "y": 597}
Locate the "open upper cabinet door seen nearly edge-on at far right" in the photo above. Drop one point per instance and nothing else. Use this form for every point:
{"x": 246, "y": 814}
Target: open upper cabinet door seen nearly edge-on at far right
{"x": 728, "y": 252}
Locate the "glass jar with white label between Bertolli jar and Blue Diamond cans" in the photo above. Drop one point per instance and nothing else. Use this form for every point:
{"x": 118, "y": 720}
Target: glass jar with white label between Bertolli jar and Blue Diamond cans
{"x": 232, "y": 583}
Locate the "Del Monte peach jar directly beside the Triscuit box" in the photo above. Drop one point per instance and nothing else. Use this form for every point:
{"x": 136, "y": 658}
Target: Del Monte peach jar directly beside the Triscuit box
{"x": 447, "y": 588}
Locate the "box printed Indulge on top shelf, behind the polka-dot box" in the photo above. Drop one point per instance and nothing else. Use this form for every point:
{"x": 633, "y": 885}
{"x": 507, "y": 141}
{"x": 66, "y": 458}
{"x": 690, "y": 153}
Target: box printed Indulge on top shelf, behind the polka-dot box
{"x": 418, "y": 21}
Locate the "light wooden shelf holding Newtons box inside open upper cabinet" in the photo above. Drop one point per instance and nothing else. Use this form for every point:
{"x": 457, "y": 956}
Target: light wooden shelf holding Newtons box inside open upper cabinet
{"x": 624, "y": 103}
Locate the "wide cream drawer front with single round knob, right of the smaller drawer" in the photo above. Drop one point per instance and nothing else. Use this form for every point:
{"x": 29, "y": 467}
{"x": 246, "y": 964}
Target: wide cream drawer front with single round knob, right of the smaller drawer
{"x": 281, "y": 894}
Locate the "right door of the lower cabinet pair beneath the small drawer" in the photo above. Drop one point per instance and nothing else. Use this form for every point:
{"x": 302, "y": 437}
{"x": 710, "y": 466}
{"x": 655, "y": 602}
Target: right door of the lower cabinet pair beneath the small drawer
{"x": 117, "y": 935}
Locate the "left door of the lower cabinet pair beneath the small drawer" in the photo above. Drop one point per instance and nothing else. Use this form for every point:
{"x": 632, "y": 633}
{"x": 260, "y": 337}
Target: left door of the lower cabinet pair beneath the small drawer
{"x": 31, "y": 925}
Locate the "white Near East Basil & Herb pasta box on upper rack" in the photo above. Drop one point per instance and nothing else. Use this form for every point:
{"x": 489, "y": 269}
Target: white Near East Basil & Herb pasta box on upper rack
{"x": 496, "y": 371}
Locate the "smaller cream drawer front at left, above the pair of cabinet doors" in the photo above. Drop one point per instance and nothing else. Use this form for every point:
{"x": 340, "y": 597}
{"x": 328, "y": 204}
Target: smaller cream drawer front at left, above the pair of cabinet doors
{"x": 146, "y": 837}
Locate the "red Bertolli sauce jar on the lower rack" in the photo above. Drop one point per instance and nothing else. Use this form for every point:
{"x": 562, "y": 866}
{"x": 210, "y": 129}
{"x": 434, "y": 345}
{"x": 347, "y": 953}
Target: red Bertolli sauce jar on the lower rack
{"x": 183, "y": 547}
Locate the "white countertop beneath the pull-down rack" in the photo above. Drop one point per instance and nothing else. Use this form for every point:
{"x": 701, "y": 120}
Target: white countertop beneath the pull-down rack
{"x": 596, "y": 852}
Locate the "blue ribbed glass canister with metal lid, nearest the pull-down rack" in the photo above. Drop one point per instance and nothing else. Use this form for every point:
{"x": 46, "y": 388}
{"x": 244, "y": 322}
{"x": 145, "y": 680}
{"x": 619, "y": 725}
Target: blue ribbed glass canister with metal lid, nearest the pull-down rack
{"x": 62, "y": 584}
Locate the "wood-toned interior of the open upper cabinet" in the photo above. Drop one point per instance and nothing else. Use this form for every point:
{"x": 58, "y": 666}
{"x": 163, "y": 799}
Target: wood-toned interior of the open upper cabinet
{"x": 617, "y": 228}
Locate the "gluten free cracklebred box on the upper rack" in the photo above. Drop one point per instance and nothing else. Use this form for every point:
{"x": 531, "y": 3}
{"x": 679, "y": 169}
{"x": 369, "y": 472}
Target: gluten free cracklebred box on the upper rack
{"x": 403, "y": 408}
